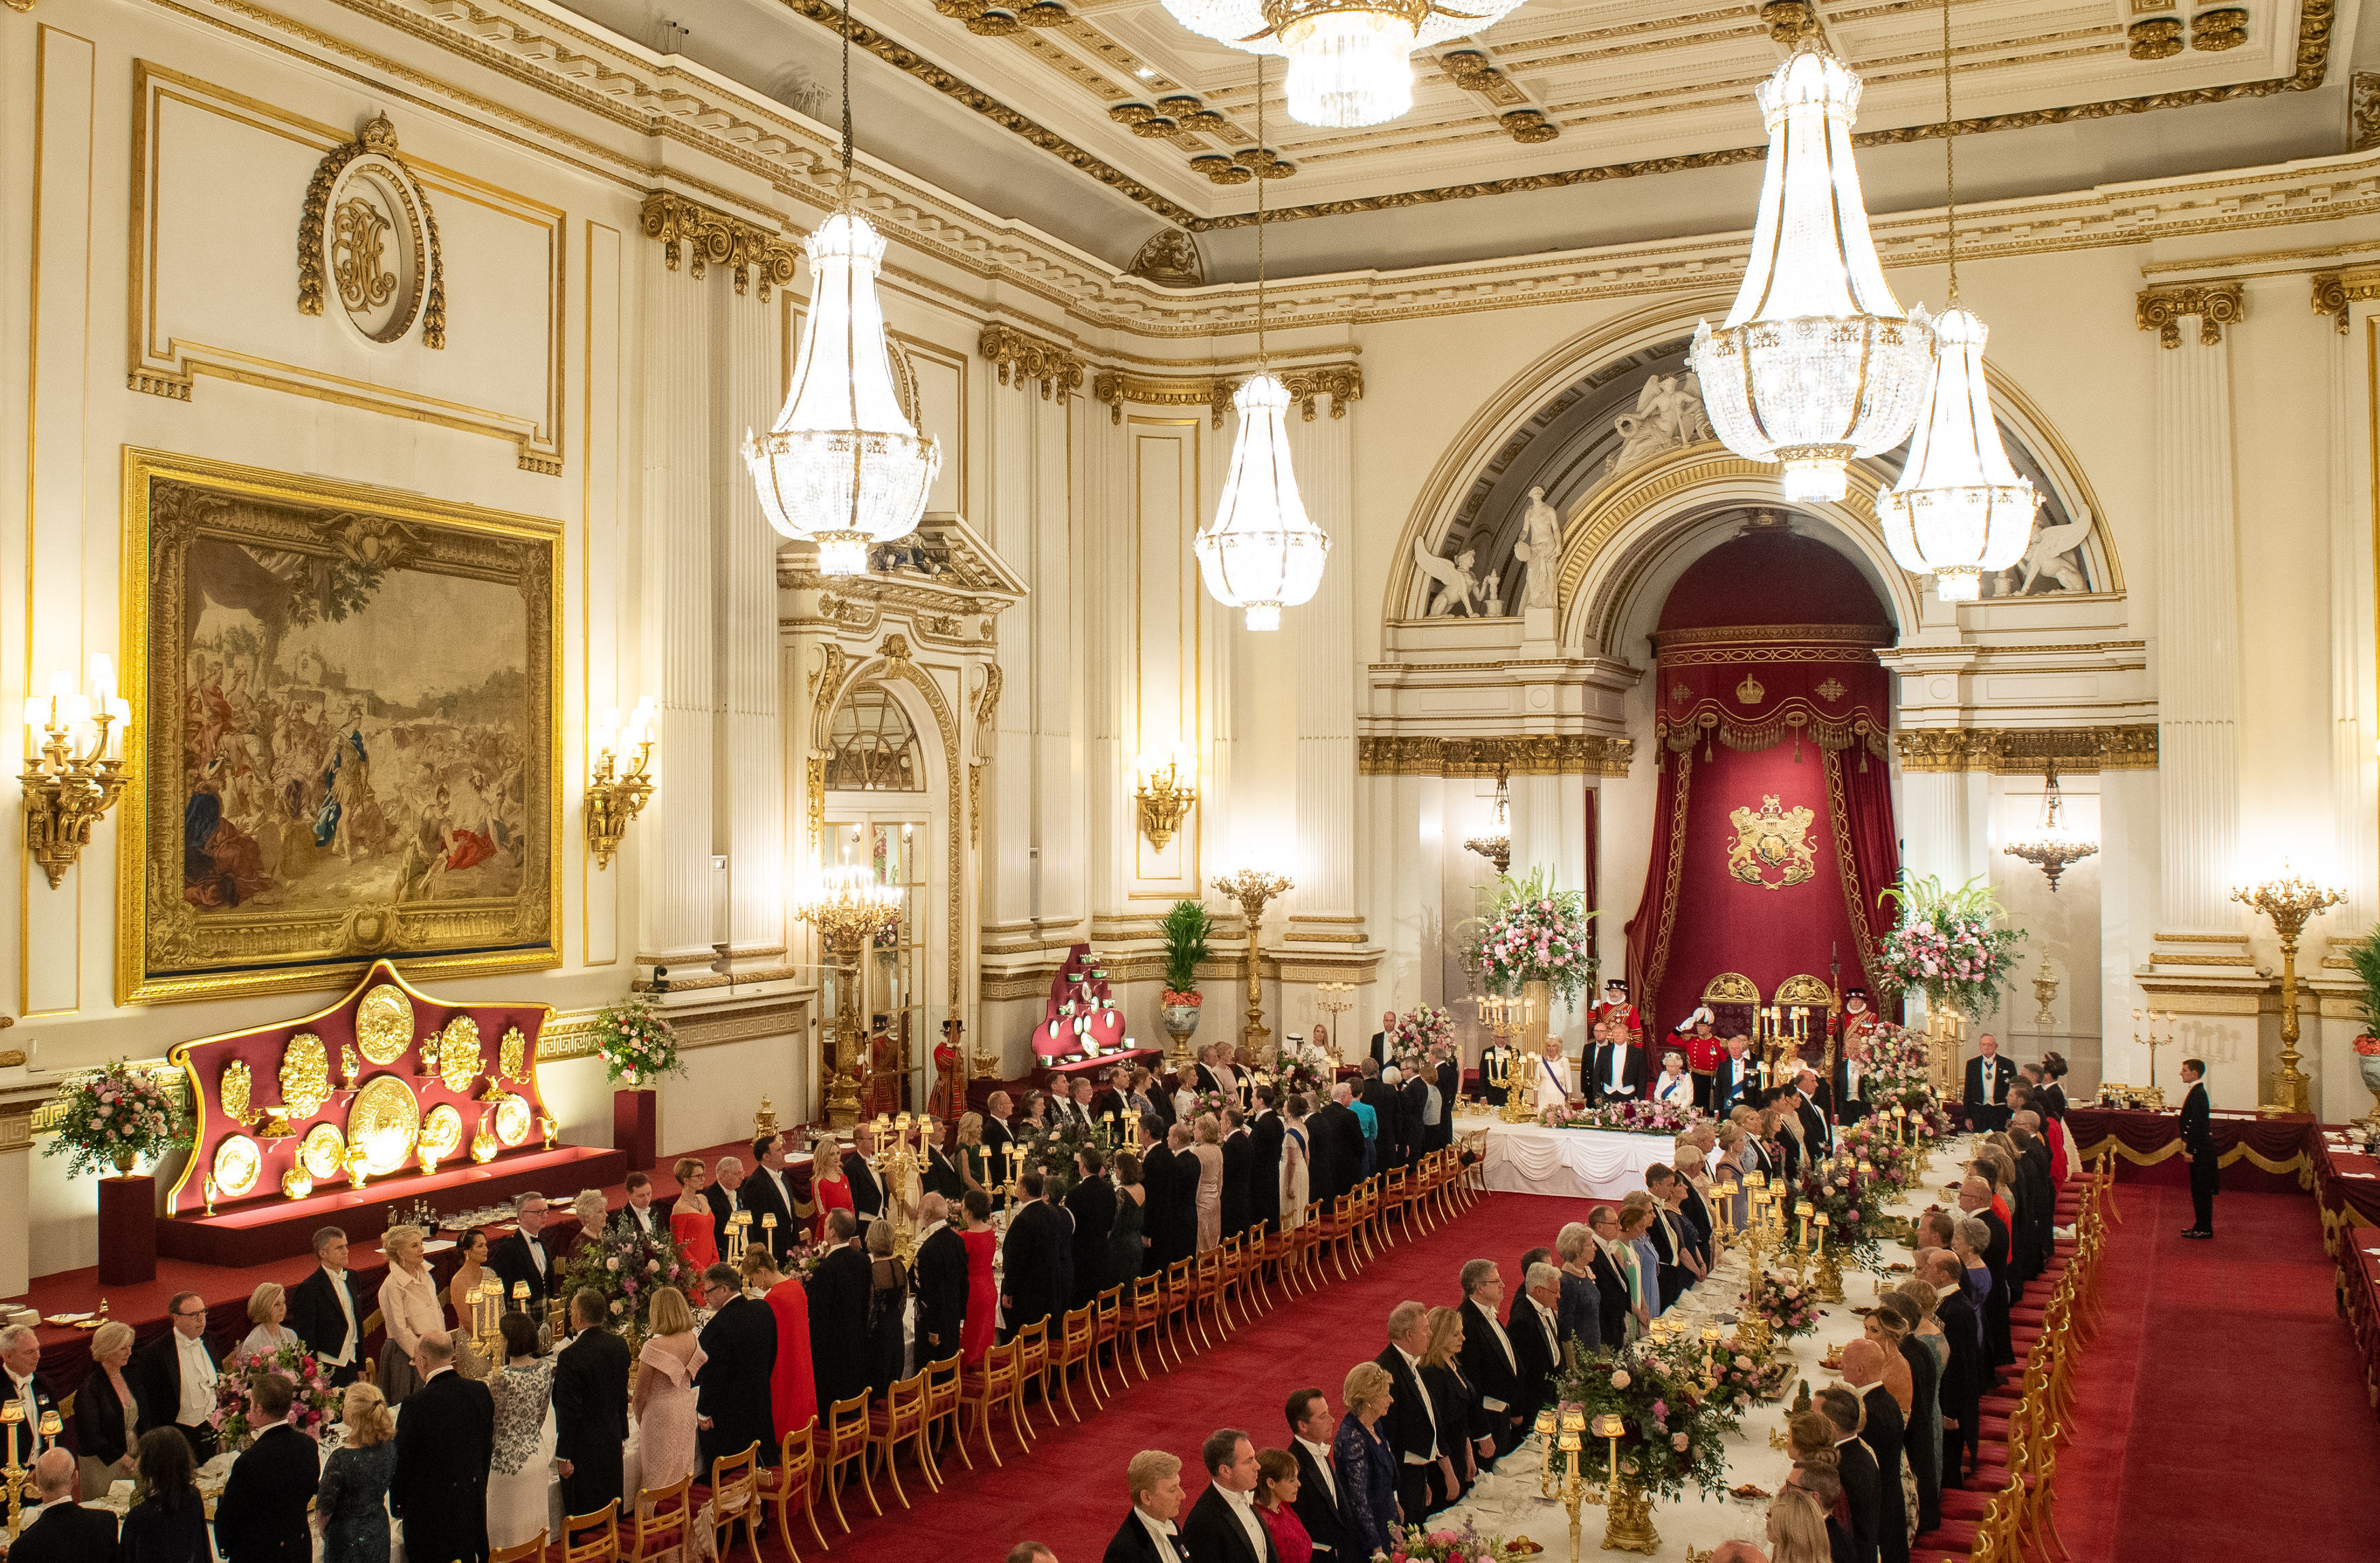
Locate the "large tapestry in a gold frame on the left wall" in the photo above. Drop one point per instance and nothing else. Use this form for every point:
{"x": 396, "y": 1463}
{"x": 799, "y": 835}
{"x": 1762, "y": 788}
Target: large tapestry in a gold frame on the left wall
{"x": 344, "y": 743}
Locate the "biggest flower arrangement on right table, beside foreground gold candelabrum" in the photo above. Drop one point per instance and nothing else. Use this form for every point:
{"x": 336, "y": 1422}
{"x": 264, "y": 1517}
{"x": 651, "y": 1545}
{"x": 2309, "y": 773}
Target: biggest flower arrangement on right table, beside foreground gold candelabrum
{"x": 1674, "y": 1426}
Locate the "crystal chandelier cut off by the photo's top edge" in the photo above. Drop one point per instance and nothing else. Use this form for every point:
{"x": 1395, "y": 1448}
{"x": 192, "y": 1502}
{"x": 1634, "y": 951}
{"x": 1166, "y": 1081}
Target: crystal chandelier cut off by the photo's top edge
{"x": 1351, "y": 61}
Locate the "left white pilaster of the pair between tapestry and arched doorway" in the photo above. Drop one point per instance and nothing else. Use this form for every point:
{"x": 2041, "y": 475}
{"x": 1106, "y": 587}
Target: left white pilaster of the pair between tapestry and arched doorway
{"x": 677, "y": 896}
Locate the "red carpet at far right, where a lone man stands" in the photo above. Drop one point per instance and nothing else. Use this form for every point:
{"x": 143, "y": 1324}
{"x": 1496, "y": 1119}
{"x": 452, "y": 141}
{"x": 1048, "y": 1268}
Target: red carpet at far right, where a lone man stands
{"x": 2219, "y": 1412}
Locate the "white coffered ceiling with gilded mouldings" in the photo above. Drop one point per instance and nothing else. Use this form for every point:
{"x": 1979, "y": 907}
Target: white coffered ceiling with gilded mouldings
{"x": 1025, "y": 125}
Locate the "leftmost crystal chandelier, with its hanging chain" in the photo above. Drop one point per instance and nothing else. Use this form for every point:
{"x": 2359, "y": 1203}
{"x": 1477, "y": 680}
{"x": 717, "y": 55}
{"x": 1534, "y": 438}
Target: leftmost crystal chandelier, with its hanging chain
{"x": 844, "y": 467}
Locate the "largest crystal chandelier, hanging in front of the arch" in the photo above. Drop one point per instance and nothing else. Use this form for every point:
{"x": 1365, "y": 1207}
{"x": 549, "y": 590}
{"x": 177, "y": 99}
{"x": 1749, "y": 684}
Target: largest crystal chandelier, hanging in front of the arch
{"x": 1817, "y": 363}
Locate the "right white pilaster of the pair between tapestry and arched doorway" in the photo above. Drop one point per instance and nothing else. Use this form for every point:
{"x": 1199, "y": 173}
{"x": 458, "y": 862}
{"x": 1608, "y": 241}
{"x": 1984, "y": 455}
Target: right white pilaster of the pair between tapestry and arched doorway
{"x": 751, "y": 786}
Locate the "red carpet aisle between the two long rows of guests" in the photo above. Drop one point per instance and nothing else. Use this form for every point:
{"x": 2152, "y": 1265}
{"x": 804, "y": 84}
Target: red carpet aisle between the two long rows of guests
{"x": 1070, "y": 1490}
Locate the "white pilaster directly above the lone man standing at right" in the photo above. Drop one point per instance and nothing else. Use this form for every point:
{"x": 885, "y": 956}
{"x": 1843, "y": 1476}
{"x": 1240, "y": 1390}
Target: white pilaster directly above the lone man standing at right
{"x": 2198, "y": 636}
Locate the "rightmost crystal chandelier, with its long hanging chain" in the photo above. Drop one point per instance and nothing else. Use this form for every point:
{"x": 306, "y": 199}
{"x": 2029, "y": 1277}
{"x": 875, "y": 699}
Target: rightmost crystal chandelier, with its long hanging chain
{"x": 1960, "y": 508}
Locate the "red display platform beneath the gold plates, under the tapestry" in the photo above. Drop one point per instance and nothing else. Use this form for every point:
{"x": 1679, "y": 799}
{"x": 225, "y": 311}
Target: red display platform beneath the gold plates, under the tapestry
{"x": 282, "y": 1229}
